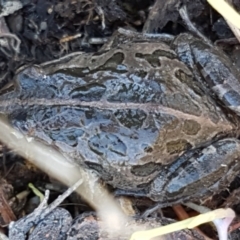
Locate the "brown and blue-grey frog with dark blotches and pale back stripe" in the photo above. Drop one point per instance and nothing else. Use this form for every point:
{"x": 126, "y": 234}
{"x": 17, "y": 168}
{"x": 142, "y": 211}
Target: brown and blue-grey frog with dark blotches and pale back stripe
{"x": 153, "y": 116}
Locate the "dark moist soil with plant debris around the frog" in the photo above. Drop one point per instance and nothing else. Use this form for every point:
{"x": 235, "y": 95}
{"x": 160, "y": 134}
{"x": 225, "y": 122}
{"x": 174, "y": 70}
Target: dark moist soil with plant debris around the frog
{"x": 50, "y": 29}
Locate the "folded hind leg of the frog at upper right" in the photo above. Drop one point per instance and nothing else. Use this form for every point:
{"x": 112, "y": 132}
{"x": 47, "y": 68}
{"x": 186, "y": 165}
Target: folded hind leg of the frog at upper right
{"x": 212, "y": 68}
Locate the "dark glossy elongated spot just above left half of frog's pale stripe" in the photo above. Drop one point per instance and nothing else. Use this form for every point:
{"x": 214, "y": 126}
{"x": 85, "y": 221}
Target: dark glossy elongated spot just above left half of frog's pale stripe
{"x": 89, "y": 92}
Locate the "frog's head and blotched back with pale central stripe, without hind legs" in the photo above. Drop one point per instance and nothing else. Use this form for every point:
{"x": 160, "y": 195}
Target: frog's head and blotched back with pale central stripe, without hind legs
{"x": 123, "y": 112}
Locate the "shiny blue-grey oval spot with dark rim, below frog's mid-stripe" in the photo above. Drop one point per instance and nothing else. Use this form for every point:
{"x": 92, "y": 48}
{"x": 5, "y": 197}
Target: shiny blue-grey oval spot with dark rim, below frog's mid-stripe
{"x": 106, "y": 143}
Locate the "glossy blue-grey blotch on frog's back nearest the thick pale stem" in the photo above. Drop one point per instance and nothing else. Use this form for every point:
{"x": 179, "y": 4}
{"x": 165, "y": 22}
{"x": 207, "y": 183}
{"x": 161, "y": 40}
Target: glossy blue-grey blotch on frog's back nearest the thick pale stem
{"x": 68, "y": 135}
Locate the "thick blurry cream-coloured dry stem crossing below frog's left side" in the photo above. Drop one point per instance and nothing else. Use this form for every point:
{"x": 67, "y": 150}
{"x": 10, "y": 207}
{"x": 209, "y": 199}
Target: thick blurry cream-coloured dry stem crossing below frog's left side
{"x": 62, "y": 169}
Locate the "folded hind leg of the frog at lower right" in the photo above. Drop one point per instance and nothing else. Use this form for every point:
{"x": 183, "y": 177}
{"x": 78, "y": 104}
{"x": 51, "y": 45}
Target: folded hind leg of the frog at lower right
{"x": 199, "y": 174}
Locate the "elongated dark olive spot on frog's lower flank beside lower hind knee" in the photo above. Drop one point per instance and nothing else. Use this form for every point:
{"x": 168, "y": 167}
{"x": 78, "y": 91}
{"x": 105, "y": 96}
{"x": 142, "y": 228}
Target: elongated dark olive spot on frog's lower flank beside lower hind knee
{"x": 146, "y": 169}
